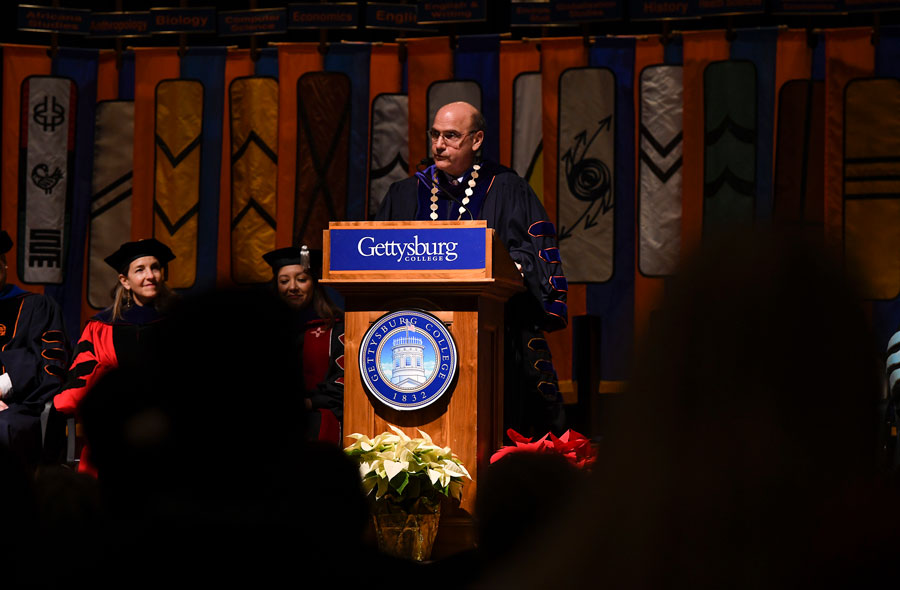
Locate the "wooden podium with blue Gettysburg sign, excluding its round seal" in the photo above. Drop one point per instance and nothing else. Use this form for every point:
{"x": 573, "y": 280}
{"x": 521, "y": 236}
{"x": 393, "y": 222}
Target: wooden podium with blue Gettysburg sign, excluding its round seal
{"x": 381, "y": 267}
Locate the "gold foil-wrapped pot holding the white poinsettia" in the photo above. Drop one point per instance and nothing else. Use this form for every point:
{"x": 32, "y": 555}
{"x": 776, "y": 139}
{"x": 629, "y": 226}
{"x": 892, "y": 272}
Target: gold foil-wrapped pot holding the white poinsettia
{"x": 410, "y": 536}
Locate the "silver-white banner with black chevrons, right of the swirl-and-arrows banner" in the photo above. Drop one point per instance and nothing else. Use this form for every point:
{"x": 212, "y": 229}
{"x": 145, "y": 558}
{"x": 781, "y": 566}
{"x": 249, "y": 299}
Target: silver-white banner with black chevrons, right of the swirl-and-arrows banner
{"x": 660, "y": 153}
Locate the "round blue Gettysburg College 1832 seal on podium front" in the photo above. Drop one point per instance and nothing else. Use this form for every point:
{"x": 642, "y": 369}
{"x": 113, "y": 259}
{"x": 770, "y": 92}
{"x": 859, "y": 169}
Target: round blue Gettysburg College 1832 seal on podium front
{"x": 407, "y": 359}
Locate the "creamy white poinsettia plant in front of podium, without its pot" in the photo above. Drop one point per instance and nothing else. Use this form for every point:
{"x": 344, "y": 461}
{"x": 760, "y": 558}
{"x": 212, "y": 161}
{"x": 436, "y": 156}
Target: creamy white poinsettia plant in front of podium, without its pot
{"x": 407, "y": 472}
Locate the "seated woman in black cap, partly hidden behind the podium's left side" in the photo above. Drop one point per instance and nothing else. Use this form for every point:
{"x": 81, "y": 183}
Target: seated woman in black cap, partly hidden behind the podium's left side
{"x": 320, "y": 333}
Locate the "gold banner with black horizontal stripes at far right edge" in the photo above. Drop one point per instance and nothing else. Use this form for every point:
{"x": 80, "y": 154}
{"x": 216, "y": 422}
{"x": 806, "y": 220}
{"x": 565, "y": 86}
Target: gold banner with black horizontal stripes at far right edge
{"x": 872, "y": 184}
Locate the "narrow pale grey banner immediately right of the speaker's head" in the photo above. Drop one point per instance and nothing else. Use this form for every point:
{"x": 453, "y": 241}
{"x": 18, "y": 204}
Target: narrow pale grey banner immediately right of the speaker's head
{"x": 527, "y": 152}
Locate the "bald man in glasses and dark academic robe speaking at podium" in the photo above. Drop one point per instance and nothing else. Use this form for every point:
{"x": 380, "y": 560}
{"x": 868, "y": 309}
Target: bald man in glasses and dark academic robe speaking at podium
{"x": 459, "y": 186}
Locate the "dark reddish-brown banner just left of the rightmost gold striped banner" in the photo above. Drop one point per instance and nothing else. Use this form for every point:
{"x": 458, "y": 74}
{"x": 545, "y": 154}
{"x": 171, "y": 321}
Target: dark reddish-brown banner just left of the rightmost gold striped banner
{"x": 800, "y": 163}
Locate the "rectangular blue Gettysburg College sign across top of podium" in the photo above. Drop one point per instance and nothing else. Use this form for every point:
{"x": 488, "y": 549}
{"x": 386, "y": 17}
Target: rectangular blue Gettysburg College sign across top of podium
{"x": 407, "y": 249}
